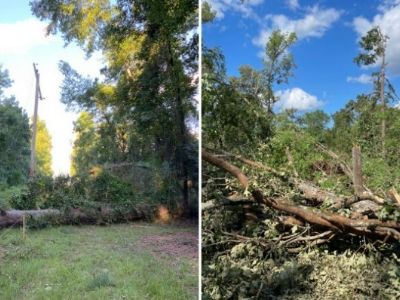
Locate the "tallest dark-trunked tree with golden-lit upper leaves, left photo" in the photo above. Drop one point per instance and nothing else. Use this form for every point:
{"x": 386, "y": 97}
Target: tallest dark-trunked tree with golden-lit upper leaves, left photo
{"x": 151, "y": 53}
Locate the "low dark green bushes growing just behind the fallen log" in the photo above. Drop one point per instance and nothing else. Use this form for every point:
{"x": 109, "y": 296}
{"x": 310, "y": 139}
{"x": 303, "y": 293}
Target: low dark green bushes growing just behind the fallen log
{"x": 66, "y": 192}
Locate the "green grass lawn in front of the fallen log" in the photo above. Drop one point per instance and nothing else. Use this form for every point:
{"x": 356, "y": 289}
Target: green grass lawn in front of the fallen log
{"x": 92, "y": 262}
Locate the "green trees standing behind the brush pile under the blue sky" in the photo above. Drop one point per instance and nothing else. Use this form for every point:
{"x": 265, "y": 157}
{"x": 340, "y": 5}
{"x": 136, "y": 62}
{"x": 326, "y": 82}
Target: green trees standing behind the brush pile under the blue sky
{"x": 240, "y": 116}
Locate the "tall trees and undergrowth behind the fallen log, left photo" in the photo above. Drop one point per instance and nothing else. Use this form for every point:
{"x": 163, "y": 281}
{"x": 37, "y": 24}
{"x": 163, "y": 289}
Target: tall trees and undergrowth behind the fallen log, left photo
{"x": 135, "y": 137}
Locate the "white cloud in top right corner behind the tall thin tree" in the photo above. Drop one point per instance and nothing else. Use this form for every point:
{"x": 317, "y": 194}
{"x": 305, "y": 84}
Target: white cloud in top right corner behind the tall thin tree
{"x": 388, "y": 19}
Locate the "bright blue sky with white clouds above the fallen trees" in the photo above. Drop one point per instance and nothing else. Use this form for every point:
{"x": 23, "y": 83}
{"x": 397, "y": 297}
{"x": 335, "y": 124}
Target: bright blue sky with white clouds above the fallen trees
{"x": 328, "y": 34}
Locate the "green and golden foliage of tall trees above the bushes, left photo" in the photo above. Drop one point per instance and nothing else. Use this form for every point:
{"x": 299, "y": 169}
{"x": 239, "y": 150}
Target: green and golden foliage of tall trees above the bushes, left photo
{"x": 143, "y": 108}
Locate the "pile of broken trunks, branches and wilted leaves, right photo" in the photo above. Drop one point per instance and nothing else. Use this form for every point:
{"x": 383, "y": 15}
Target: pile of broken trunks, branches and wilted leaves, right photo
{"x": 268, "y": 233}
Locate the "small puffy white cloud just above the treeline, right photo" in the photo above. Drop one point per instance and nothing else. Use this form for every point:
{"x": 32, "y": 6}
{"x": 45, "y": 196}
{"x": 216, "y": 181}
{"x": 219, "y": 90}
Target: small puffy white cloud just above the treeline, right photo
{"x": 296, "y": 98}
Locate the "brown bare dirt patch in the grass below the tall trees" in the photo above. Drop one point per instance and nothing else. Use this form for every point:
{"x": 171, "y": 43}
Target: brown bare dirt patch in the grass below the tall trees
{"x": 176, "y": 244}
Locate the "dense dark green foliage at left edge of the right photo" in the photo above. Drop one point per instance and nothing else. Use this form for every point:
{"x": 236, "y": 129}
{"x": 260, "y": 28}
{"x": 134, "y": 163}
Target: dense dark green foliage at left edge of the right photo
{"x": 232, "y": 117}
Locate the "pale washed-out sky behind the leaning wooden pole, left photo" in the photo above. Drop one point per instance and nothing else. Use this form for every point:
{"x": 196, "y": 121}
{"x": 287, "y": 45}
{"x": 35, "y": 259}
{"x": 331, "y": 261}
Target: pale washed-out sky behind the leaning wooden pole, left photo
{"x": 23, "y": 41}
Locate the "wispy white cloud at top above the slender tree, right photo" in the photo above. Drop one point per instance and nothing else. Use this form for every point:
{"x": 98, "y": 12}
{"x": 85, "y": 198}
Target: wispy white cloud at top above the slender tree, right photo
{"x": 315, "y": 23}
